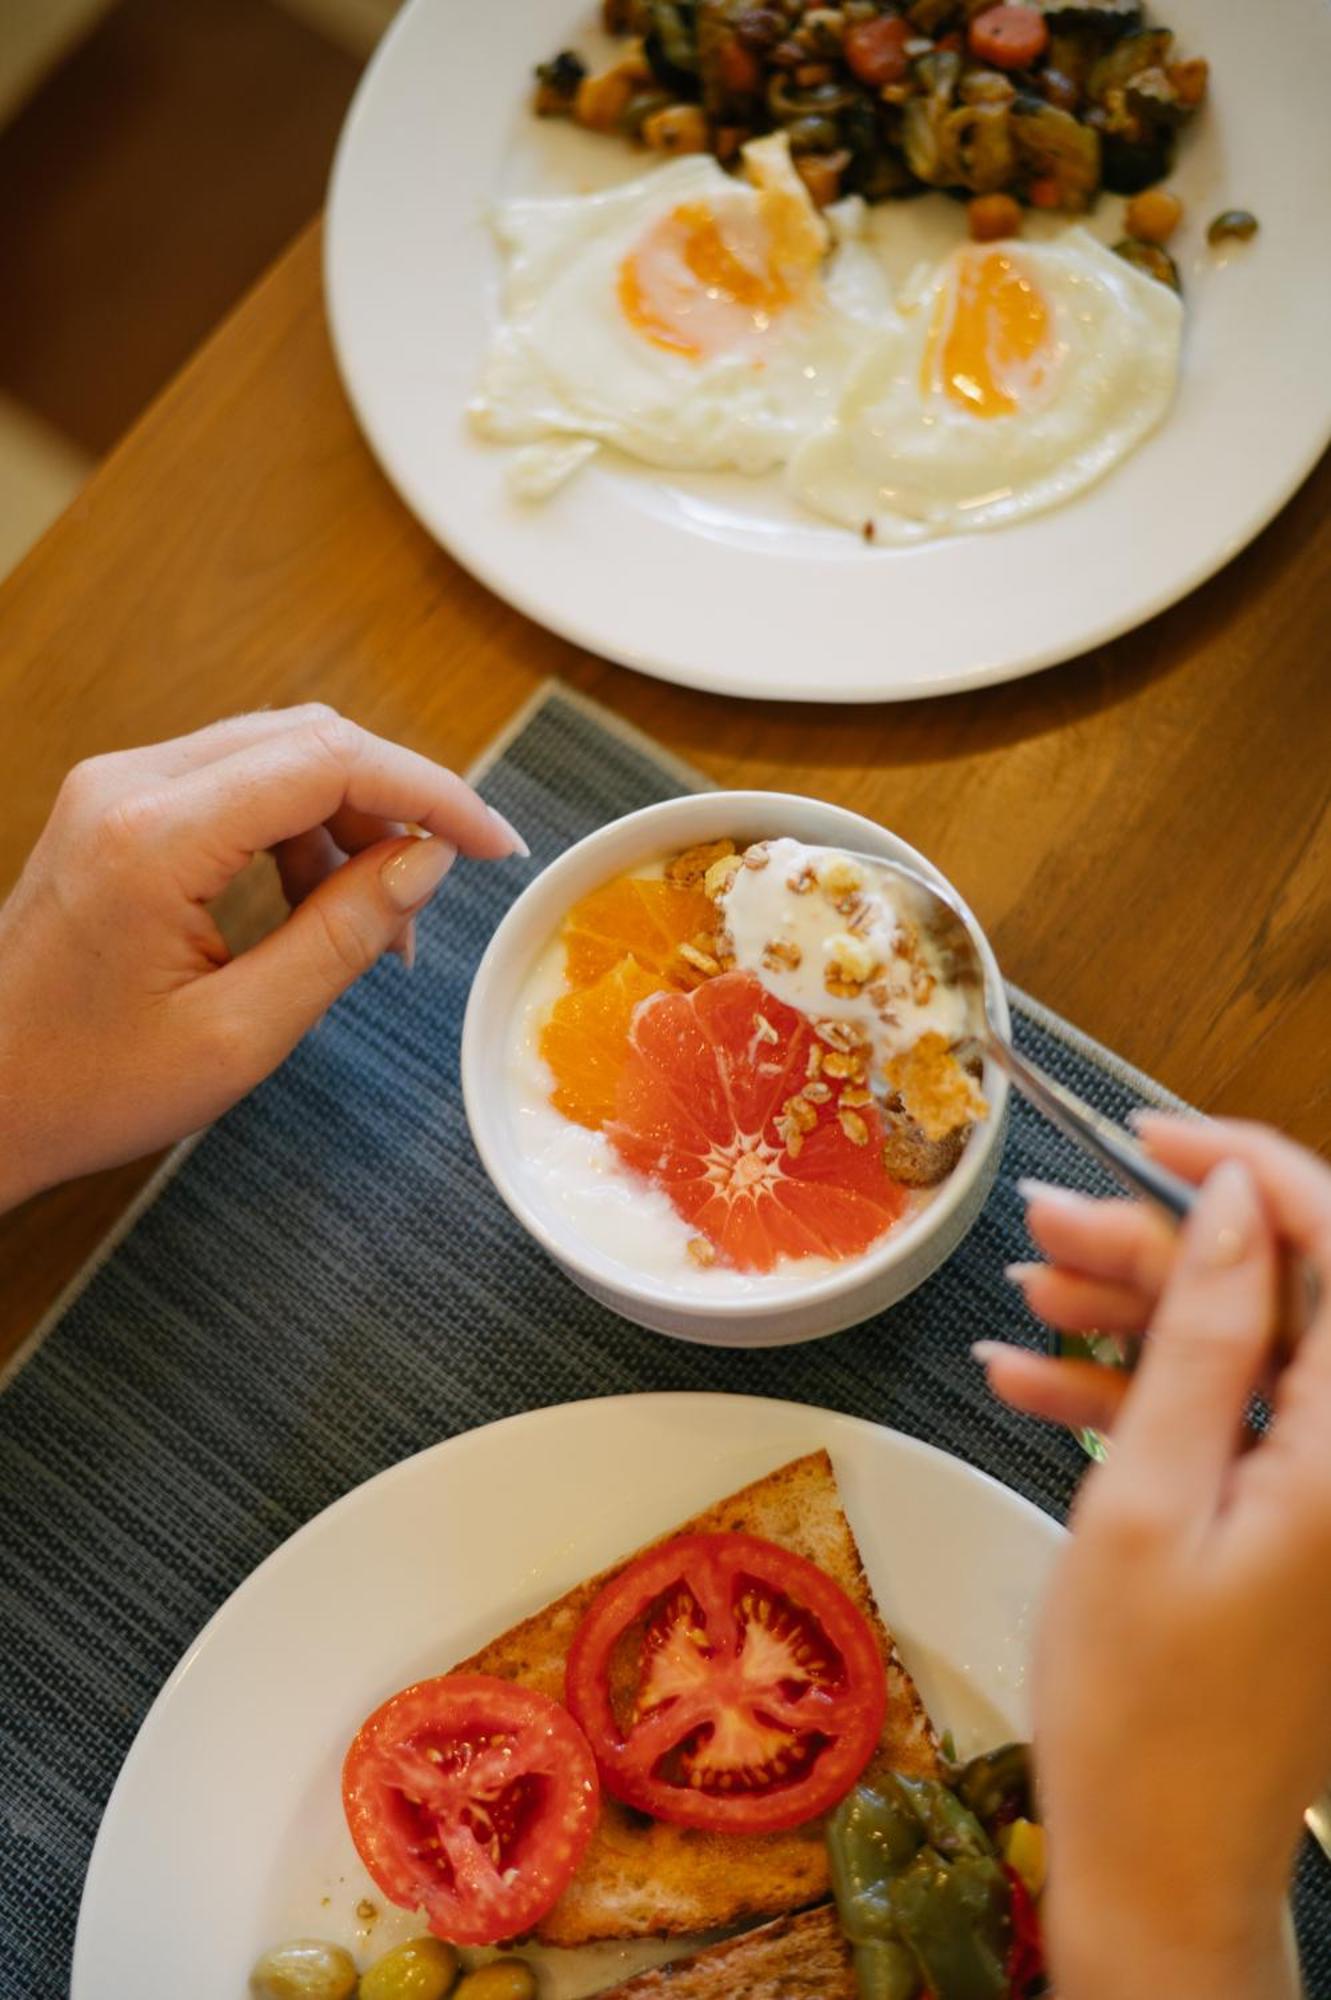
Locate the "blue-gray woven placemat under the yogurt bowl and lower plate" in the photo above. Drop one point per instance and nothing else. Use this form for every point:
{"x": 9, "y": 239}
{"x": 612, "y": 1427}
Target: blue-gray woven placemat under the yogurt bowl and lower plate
{"x": 327, "y": 1285}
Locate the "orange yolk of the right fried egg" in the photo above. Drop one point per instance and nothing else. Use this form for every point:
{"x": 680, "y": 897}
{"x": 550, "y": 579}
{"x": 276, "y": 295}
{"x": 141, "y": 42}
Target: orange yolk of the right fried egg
{"x": 992, "y": 337}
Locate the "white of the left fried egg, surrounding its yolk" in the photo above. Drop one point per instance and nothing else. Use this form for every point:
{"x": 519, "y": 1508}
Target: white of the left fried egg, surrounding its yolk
{"x": 569, "y": 373}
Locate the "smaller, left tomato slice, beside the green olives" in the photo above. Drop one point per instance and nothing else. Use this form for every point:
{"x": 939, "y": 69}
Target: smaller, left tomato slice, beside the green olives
{"x": 475, "y": 1801}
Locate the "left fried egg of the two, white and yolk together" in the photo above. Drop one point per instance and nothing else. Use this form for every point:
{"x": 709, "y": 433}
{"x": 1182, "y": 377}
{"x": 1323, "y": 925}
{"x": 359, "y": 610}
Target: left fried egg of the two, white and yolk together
{"x": 690, "y": 319}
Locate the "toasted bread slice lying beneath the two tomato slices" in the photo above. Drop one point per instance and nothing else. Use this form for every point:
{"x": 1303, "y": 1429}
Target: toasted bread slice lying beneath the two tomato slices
{"x": 643, "y": 1879}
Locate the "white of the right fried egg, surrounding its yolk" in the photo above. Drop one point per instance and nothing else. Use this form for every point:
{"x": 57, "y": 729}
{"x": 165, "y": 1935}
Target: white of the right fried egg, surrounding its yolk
{"x": 912, "y": 463}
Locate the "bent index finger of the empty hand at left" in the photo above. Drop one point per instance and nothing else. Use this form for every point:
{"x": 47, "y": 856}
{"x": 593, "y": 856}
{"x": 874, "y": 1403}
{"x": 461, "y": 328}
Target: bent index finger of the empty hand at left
{"x": 299, "y": 779}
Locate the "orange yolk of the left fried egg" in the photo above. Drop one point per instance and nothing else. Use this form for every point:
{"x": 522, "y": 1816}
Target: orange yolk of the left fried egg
{"x": 698, "y": 285}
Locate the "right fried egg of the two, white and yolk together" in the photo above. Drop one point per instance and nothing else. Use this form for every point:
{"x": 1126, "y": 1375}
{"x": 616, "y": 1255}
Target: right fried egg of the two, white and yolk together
{"x": 1014, "y": 379}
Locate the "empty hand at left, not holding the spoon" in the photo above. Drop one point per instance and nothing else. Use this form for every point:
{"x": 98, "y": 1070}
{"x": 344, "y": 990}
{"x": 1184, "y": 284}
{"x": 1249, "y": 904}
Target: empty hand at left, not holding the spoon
{"x": 123, "y": 1019}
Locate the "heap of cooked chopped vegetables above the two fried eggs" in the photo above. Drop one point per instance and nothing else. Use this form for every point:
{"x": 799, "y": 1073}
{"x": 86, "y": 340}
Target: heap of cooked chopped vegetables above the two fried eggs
{"x": 1044, "y": 103}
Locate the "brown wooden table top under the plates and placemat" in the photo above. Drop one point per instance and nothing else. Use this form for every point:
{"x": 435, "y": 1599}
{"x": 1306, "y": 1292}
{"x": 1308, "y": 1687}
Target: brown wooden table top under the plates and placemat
{"x": 1144, "y": 831}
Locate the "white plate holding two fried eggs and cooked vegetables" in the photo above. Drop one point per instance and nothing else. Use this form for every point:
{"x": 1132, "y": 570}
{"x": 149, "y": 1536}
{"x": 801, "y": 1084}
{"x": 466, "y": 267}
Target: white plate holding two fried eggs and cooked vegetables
{"x": 716, "y": 581}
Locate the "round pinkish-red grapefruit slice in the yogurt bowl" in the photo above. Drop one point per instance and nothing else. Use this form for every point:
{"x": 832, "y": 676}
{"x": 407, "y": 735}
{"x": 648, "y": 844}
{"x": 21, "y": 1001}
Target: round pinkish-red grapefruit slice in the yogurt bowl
{"x": 700, "y": 1113}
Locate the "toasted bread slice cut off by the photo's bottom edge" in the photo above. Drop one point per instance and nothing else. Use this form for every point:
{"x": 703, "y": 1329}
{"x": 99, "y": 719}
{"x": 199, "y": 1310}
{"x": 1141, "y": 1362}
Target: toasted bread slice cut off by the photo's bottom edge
{"x": 796, "y": 1959}
